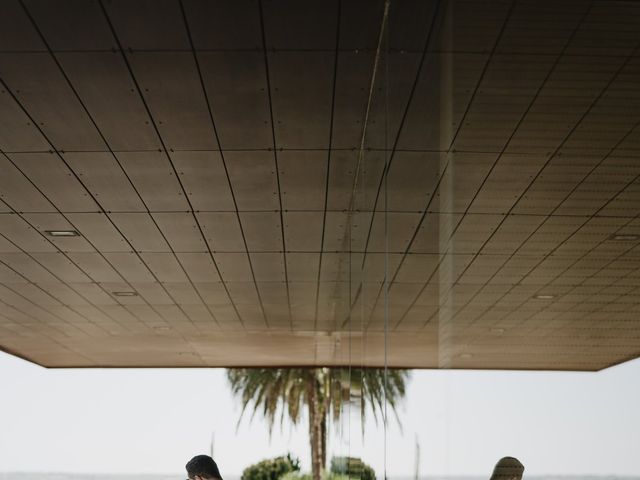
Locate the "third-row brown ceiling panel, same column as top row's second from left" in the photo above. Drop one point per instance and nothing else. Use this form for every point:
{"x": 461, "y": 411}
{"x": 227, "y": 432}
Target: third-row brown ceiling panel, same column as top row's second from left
{"x": 155, "y": 180}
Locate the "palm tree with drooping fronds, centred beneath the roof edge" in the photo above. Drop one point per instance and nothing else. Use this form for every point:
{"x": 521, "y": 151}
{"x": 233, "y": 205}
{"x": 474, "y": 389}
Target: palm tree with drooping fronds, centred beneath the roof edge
{"x": 321, "y": 390}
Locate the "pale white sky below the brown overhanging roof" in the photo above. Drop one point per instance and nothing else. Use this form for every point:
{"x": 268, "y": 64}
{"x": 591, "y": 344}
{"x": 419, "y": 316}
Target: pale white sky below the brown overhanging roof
{"x": 154, "y": 420}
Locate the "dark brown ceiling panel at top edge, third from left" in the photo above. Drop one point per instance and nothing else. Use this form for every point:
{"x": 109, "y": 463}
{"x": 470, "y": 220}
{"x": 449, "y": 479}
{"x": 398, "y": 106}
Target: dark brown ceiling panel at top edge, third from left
{"x": 165, "y": 30}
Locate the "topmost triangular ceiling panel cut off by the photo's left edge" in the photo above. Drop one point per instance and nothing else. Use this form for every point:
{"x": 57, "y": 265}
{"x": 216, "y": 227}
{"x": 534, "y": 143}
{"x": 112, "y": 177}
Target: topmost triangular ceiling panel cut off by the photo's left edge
{"x": 18, "y": 134}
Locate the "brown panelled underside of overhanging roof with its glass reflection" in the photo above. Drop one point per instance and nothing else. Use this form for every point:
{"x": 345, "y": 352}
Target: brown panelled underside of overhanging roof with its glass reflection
{"x": 186, "y": 183}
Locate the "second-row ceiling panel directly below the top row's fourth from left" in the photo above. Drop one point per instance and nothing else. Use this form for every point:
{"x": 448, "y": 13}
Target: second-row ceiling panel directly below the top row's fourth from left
{"x": 236, "y": 83}
